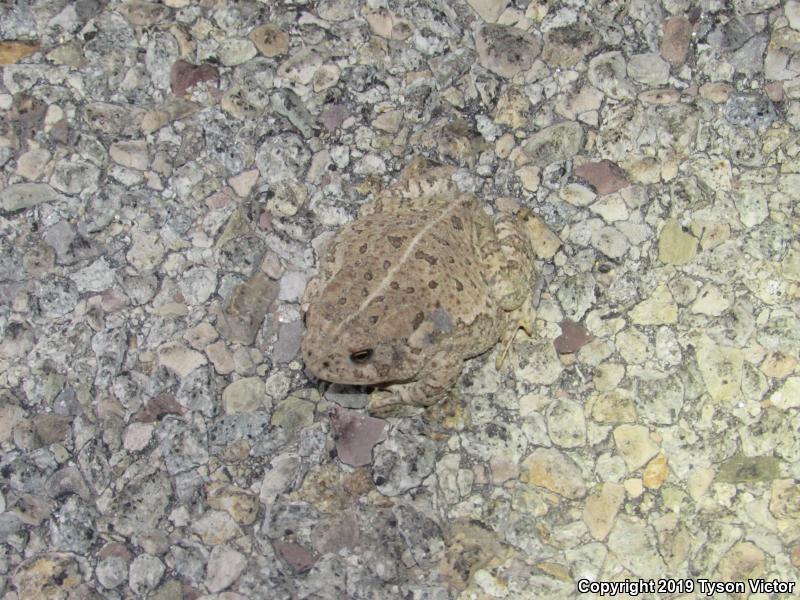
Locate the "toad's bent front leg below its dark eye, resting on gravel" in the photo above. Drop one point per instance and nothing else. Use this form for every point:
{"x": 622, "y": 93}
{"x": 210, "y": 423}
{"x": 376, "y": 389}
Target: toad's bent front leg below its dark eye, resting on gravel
{"x": 434, "y": 381}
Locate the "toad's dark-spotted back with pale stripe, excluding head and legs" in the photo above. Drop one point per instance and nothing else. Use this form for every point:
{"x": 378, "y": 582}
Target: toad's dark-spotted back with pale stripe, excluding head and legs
{"x": 420, "y": 258}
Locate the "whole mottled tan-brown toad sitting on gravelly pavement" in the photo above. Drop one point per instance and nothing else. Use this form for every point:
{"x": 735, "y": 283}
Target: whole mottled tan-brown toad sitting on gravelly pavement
{"x": 417, "y": 284}
